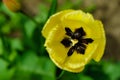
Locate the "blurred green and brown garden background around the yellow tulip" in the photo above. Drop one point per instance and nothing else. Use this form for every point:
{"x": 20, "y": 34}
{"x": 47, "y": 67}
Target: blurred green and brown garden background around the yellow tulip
{"x": 23, "y": 57}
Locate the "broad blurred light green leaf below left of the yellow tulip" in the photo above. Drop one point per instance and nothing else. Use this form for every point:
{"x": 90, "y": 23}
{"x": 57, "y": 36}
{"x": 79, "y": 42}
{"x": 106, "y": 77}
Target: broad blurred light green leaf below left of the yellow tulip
{"x": 37, "y": 65}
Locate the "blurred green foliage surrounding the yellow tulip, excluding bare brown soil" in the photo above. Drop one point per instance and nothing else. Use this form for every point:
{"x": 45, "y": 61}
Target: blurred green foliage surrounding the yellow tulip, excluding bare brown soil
{"x": 23, "y": 57}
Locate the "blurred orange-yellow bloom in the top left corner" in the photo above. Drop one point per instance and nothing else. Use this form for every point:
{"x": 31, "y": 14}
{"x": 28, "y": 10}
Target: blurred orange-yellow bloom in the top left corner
{"x": 13, "y": 5}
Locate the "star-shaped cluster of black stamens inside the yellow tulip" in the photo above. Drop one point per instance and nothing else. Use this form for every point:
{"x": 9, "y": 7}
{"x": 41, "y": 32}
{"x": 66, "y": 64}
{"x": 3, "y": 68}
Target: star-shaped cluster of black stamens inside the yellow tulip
{"x": 78, "y": 34}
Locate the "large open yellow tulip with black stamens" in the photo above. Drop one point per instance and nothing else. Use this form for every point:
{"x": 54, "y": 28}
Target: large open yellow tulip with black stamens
{"x": 73, "y": 38}
